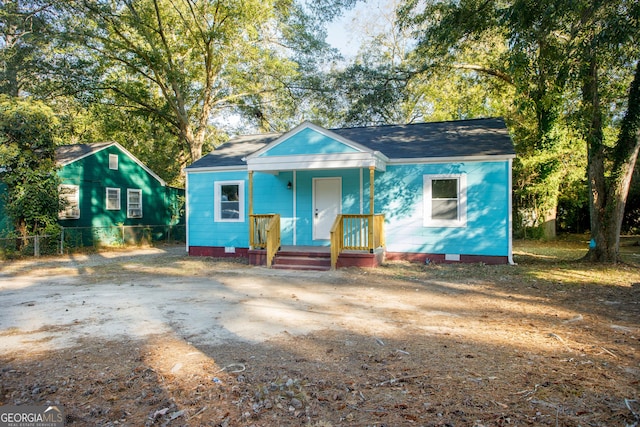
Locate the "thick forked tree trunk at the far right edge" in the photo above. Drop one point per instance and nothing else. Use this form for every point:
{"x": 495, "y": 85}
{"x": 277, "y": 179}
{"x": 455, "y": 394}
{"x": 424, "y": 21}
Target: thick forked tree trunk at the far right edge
{"x": 608, "y": 196}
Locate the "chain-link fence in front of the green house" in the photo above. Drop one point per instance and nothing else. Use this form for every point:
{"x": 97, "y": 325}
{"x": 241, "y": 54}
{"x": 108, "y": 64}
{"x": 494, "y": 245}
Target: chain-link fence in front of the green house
{"x": 73, "y": 239}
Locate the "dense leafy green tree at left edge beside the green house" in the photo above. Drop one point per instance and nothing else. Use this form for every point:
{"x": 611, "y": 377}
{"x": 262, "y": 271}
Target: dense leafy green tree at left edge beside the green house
{"x": 27, "y": 156}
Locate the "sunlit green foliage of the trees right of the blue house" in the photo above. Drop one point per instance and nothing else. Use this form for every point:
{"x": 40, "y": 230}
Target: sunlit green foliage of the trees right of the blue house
{"x": 551, "y": 46}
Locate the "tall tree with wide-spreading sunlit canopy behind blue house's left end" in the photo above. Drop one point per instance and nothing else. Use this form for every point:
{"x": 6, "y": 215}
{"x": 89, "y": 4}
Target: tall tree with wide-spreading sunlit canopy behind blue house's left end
{"x": 185, "y": 62}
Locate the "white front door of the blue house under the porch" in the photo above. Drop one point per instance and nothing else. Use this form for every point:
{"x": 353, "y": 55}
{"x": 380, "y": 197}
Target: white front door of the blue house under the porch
{"x": 327, "y": 204}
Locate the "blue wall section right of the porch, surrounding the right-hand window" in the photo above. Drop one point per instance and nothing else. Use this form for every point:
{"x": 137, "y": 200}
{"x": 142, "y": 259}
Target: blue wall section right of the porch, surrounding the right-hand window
{"x": 399, "y": 195}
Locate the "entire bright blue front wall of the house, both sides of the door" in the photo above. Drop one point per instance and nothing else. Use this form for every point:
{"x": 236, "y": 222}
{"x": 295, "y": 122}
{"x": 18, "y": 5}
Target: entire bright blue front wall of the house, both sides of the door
{"x": 399, "y": 195}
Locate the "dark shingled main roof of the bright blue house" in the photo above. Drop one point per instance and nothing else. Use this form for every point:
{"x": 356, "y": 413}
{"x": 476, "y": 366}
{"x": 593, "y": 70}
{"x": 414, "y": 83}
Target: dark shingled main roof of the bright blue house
{"x": 436, "y": 141}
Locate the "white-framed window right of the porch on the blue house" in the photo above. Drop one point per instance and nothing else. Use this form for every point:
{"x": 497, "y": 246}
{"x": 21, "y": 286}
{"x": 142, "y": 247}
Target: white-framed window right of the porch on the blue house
{"x": 445, "y": 200}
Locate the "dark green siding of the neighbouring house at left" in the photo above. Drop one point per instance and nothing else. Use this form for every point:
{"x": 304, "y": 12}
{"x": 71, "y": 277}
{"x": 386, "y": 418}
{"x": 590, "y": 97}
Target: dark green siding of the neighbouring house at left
{"x": 93, "y": 176}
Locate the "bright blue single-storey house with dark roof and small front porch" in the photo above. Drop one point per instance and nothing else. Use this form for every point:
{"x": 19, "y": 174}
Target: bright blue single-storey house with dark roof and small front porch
{"x": 424, "y": 192}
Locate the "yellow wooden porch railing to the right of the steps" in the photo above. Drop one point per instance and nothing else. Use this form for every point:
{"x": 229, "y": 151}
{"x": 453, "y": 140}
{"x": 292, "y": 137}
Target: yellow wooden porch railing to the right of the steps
{"x": 356, "y": 232}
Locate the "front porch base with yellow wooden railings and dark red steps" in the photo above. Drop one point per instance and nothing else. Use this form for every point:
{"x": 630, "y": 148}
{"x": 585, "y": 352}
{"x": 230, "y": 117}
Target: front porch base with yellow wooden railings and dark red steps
{"x": 356, "y": 241}
